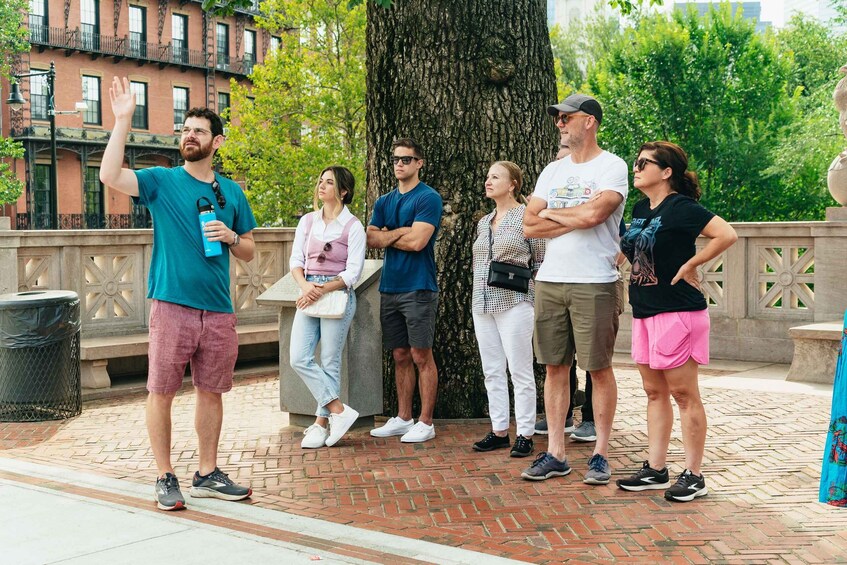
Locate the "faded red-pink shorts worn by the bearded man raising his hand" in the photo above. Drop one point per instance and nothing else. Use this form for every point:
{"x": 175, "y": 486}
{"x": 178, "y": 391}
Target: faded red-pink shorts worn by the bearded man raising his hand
{"x": 179, "y": 335}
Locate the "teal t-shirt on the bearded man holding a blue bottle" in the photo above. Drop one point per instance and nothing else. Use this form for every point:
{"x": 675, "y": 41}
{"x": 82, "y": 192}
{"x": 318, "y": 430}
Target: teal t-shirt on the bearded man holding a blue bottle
{"x": 180, "y": 272}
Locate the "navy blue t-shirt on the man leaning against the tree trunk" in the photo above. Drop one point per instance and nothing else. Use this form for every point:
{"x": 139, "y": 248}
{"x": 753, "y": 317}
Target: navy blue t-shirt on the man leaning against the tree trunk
{"x": 407, "y": 271}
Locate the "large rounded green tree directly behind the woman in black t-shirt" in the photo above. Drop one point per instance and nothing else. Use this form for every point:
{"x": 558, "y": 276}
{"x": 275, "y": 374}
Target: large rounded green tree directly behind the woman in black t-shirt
{"x": 715, "y": 87}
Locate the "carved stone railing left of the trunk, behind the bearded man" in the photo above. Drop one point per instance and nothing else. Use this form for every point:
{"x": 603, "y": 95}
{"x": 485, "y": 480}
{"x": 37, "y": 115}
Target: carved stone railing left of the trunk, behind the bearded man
{"x": 108, "y": 269}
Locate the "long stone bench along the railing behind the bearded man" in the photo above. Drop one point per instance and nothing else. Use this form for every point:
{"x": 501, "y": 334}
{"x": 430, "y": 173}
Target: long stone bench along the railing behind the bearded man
{"x": 95, "y": 352}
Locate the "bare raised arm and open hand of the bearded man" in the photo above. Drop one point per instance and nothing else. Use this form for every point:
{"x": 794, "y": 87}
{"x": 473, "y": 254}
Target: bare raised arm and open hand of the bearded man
{"x": 112, "y": 172}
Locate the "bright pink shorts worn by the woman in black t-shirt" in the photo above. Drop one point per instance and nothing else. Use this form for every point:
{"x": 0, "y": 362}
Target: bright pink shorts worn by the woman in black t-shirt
{"x": 667, "y": 340}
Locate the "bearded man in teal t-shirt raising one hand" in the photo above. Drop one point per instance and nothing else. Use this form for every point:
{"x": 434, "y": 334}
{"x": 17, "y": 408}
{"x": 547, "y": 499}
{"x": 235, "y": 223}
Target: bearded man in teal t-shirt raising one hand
{"x": 191, "y": 316}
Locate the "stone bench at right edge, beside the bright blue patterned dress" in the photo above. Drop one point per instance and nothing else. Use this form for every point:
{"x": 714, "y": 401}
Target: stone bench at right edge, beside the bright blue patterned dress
{"x": 816, "y": 348}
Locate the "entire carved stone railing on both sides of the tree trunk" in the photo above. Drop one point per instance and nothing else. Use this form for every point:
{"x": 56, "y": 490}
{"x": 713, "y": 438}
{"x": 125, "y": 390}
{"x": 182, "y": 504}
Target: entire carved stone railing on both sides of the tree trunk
{"x": 777, "y": 276}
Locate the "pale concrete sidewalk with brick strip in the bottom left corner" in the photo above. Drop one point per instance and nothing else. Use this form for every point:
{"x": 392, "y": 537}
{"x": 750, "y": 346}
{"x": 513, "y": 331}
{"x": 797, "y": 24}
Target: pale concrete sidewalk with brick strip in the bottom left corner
{"x": 61, "y": 516}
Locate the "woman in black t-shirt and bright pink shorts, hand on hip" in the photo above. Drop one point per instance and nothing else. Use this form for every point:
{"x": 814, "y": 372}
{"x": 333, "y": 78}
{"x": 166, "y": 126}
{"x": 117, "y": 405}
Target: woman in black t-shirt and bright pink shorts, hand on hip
{"x": 670, "y": 326}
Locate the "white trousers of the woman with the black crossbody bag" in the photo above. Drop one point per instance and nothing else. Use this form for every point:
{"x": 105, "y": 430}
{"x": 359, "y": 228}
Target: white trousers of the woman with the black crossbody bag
{"x": 505, "y": 339}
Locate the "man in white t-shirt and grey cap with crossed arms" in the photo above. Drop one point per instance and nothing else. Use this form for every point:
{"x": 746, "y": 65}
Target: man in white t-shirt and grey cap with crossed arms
{"x": 577, "y": 205}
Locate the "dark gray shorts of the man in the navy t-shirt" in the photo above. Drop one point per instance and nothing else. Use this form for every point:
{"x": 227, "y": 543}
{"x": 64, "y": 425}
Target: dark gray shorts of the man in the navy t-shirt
{"x": 408, "y": 319}
